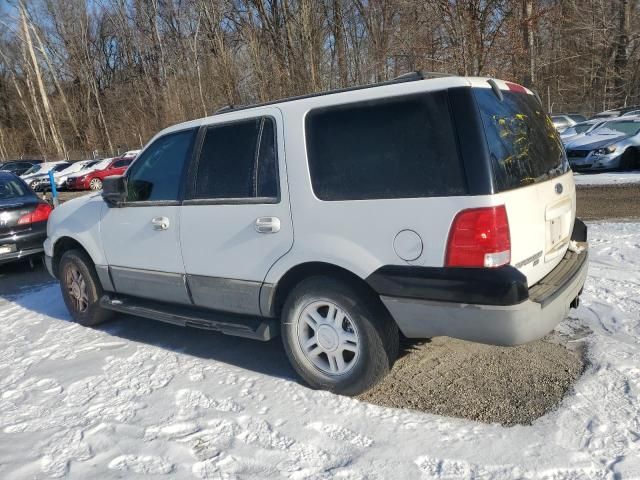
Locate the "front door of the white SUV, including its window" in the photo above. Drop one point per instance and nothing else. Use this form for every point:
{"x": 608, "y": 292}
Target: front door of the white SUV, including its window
{"x": 141, "y": 238}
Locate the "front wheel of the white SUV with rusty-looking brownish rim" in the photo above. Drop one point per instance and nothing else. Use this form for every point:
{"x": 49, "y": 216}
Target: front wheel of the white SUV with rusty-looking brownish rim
{"x": 85, "y": 310}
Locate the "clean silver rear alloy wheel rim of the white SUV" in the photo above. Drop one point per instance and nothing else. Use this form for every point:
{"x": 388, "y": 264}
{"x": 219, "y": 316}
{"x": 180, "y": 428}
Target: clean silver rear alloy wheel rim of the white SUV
{"x": 328, "y": 338}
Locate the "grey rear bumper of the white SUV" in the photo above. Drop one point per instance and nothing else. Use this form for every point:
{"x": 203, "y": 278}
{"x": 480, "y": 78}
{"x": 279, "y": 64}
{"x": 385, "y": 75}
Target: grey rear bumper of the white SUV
{"x": 548, "y": 303}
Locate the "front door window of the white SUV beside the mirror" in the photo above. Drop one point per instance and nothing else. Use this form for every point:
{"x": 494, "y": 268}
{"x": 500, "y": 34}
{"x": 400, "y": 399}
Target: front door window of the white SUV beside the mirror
{"x": 157, "y": 174}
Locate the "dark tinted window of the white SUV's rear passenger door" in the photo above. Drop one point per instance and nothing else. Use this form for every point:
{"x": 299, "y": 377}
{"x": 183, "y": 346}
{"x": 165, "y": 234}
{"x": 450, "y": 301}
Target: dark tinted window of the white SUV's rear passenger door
{"x": 238, "y": 160}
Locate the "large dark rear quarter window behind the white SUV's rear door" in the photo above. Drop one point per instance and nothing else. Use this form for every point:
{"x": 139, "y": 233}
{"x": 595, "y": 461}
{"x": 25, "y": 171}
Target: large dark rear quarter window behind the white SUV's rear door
{"x": 401, "y": 147}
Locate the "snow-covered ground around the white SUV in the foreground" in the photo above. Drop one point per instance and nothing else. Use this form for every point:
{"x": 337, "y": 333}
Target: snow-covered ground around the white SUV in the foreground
{"x": 138, "y": 398}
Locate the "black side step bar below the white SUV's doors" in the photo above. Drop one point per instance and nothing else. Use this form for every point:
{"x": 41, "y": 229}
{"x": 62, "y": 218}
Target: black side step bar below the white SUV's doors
{"x": 256, "y": 328}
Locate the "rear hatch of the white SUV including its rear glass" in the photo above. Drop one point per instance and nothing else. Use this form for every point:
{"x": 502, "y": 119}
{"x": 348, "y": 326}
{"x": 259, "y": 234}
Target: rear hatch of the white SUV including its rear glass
{"x": 531, "y": 177}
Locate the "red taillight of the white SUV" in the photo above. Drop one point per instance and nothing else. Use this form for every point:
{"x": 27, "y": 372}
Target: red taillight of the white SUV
{"x": 479, "y": 237}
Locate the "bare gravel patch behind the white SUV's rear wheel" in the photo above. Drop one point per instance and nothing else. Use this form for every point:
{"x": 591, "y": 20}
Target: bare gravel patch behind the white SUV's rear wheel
{"x": 506, "y": 385}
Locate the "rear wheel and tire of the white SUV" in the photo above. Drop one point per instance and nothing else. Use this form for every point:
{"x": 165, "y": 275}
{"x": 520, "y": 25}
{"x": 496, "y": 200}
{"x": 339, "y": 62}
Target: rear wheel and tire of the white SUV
{"x": 365, "y": 339}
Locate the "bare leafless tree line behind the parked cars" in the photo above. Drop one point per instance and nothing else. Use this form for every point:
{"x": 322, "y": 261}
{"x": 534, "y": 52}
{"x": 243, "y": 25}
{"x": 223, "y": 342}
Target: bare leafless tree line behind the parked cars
{"x": 78, "y": 76}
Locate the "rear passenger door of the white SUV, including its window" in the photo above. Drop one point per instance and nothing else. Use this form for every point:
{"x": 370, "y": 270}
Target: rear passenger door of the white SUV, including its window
{"x": 235, "y": 220}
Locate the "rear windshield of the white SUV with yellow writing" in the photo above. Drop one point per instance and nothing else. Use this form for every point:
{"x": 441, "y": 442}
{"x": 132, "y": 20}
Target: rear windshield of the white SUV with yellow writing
{"x": 523, "y": 143}
